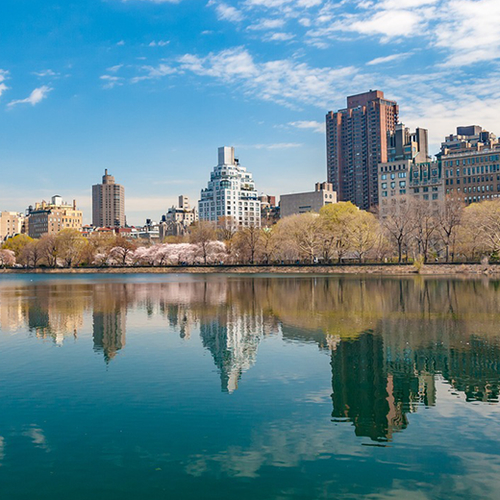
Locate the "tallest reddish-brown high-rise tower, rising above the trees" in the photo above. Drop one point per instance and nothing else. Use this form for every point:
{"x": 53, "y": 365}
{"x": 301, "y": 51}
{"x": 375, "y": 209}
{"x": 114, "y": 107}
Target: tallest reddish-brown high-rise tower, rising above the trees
{"x": 356, "y": 142}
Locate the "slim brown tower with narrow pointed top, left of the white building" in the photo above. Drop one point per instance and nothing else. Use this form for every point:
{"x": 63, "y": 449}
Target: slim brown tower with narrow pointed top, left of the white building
{"x": 108, "y": 203}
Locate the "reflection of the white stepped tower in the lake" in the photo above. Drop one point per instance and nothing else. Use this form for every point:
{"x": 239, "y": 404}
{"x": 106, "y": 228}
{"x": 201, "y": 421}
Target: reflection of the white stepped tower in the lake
{"x": 233, "y": 341}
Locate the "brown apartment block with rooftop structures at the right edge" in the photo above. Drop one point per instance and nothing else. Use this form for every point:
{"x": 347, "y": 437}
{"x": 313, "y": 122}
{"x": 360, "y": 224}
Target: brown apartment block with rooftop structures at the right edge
{"x": 471, "y": 164}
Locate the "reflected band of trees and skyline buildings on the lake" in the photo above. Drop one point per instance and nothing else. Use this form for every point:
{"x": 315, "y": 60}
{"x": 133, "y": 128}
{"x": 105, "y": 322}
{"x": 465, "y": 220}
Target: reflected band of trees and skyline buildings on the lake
{"x": 423, "y": 327}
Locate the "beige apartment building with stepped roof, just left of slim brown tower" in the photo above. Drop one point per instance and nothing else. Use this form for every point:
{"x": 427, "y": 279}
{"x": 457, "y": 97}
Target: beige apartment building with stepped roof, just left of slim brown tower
{"x": 50, "y": 218}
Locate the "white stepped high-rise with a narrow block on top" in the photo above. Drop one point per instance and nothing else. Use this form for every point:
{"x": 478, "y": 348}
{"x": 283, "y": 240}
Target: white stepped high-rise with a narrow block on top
{"x": 230, "y": 193}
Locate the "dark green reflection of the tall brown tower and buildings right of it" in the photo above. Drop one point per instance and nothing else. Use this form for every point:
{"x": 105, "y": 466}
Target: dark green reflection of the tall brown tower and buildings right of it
{"x": 375, "y": 385}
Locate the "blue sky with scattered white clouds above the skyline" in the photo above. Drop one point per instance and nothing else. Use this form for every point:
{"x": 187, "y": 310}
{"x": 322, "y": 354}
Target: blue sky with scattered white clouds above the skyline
{"x": 150, "y": 88}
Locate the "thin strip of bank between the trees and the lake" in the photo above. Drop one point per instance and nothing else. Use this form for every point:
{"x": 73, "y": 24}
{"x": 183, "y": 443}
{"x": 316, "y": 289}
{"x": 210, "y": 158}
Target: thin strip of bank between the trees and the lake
{"x": 371, "y": 269}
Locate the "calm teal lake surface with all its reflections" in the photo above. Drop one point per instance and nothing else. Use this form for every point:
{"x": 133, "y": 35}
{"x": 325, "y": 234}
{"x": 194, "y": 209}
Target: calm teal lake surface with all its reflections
{"x": 221, "y": 387}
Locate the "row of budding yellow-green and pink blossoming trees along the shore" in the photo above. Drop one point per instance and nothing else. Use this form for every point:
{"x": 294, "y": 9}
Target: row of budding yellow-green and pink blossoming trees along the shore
{"x": 409, "y": 232}
